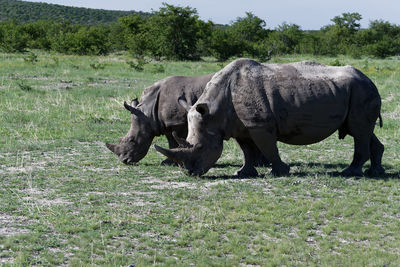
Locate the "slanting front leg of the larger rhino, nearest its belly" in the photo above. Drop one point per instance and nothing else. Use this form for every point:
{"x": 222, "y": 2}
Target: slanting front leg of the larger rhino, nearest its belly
{"x": 266, "y": 142}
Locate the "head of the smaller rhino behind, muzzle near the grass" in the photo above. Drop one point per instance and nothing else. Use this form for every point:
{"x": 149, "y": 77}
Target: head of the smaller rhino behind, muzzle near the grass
{"x": 136, "y": 143}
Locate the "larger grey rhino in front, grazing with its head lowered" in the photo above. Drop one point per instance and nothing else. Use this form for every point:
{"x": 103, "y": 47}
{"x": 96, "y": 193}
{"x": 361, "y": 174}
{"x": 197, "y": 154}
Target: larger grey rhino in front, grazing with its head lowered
{"x": 297, "y": 103}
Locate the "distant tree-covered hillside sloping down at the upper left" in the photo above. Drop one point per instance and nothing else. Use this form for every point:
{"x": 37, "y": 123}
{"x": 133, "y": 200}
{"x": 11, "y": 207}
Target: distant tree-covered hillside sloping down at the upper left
{"x": 24, "y": 12}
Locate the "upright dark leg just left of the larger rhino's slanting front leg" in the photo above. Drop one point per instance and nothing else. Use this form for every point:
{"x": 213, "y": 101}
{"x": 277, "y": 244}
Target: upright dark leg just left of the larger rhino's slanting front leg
{"x": 247, "y": 170}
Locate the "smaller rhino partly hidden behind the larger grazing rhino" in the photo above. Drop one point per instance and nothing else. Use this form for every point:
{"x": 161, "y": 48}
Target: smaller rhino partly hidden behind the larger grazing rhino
{"x": 159, "y": 113}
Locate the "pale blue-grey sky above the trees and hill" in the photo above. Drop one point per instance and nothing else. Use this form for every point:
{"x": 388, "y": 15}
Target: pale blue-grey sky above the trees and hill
{"x": 309, "y": 14}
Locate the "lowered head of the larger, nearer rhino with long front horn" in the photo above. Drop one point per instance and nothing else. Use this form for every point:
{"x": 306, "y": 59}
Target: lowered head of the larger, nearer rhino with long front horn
{"x": 203, "y": 145}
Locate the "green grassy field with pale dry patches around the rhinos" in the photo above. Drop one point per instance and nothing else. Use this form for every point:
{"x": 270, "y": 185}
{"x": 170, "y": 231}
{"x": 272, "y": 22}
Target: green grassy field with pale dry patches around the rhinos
{"x": 67, "y": 200}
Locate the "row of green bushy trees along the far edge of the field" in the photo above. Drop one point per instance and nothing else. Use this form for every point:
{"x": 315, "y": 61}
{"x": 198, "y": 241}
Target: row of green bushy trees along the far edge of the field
{"x": 177, "y": 33}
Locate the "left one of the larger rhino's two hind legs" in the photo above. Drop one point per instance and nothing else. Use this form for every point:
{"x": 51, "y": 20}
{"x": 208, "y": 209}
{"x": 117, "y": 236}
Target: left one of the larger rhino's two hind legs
{"x": 361, "y": 155}
